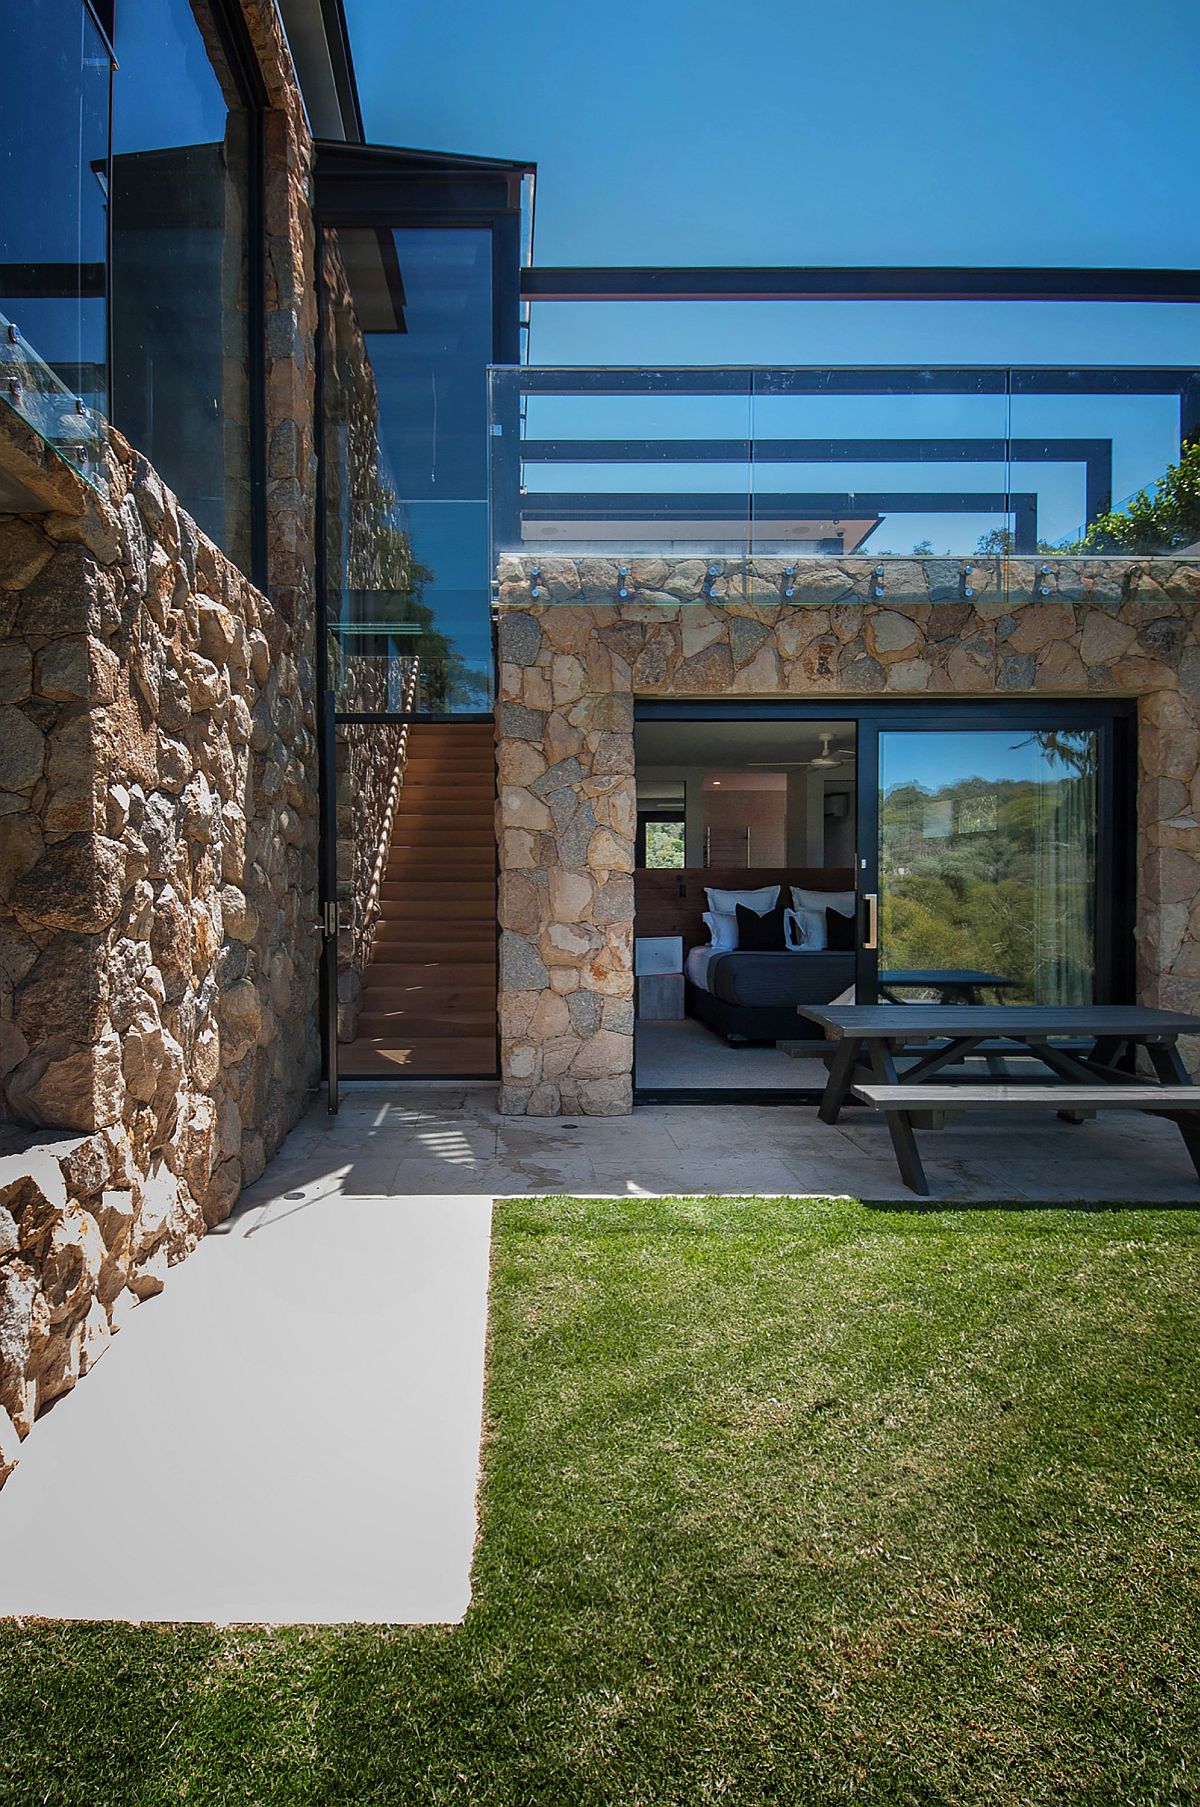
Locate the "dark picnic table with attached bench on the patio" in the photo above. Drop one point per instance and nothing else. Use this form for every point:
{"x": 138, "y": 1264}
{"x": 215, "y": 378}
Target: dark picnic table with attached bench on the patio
{"x": 1080, "y": 1047}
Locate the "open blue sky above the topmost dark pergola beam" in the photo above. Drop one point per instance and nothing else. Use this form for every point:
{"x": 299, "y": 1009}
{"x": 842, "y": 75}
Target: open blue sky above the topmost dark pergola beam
{"x": 774, "y": 133}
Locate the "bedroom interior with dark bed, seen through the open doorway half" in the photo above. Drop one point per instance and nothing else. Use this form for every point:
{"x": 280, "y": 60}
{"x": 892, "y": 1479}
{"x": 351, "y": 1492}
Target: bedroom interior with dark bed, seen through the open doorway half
{"x": 755, "y": 818}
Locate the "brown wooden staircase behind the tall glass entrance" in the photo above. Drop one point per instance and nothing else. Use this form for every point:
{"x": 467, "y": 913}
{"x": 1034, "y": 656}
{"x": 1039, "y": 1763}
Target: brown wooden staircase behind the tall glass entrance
{"x": 429, "y": 991}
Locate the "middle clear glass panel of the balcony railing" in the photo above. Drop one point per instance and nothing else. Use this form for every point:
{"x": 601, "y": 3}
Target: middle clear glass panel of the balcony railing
{"x": 883, "y": 483}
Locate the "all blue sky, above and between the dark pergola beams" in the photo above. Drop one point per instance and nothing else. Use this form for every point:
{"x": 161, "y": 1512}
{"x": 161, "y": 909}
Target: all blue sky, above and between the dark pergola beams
{"x": 774, "y": 133}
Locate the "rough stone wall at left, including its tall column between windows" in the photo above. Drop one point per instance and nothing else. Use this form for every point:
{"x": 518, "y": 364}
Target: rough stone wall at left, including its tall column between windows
{"x": 158, "y": 843}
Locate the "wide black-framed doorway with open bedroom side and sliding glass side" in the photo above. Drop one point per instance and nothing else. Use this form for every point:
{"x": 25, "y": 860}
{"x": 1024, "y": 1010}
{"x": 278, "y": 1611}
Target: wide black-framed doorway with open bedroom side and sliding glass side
{"x": 877, "y": 854}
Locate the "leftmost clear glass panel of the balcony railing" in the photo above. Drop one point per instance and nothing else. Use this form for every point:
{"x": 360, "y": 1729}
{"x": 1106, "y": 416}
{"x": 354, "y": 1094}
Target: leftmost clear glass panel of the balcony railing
{"x": 635, "y": 482}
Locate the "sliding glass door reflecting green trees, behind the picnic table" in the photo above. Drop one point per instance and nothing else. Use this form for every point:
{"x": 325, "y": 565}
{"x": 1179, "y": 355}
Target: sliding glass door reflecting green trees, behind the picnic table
{"x": 993, "y": 863}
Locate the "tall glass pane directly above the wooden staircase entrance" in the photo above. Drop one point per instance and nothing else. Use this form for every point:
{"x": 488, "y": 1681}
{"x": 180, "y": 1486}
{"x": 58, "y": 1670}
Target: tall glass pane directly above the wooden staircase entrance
{"x": 408, "y": 333}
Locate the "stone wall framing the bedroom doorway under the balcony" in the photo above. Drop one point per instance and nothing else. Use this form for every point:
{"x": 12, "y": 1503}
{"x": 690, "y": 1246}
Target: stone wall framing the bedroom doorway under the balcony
{"x": 574, "y": 660}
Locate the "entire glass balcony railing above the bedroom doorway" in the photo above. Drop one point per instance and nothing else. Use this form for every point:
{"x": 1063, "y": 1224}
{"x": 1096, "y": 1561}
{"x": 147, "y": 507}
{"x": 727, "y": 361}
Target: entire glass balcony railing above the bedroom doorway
{"x": 861, "y": 483}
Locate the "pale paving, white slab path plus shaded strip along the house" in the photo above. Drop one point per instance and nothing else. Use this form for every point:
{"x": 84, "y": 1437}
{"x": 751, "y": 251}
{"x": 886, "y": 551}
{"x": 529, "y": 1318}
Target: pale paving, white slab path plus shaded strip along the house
{"x": 308, "y": 1389}
